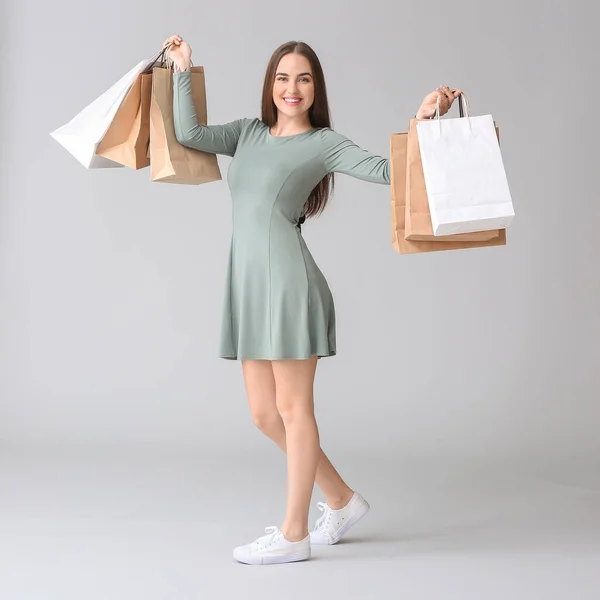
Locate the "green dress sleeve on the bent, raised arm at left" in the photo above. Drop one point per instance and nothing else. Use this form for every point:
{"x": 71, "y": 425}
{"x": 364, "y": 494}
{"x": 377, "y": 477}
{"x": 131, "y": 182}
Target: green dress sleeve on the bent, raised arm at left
{"x": 217, "y": 139}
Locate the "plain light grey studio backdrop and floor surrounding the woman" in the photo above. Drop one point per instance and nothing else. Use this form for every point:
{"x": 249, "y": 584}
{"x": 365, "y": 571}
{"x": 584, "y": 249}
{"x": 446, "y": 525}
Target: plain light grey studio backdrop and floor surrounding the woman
{"x": 463, "y": 401}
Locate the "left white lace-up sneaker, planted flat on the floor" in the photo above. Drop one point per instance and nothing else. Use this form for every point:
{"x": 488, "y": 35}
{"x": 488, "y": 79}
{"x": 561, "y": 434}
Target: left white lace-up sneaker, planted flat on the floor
{"x": 273, "y": 548}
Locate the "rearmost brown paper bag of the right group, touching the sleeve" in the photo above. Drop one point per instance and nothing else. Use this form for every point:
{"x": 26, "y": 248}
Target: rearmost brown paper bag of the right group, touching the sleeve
{"x": 398, "y": 170}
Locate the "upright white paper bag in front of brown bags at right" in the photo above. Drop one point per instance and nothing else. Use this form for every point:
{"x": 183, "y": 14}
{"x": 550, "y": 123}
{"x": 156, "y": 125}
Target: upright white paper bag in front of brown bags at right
{"x": 464, "y": 175}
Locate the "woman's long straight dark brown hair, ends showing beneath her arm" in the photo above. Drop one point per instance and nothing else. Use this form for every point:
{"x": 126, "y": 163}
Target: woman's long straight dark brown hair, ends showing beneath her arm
{"x": 318, "y": 114}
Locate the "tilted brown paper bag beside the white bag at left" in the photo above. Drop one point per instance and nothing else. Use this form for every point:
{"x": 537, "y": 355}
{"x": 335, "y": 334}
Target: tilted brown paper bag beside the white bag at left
{"x": 126, "y": 140}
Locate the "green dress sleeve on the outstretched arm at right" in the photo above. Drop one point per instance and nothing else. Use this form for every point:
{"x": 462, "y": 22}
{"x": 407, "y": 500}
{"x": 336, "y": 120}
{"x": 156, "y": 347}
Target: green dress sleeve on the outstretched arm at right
{"x": 342, "y": 155}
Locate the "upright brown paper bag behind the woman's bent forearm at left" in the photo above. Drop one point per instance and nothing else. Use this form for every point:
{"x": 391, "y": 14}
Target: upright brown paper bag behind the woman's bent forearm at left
{"x": 170, "y": 161}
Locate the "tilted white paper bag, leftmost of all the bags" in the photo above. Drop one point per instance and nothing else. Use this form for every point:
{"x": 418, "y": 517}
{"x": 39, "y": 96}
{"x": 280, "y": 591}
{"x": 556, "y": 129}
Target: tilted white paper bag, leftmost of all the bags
{"x": 83, "y": 133}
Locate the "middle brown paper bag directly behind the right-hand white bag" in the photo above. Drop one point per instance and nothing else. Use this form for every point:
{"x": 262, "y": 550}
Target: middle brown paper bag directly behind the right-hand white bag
{"x": 418, "y": 217}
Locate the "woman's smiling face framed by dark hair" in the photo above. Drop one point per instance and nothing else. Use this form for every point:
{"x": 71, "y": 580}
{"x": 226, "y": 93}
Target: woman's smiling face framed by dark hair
{"x": 293, "y": 89}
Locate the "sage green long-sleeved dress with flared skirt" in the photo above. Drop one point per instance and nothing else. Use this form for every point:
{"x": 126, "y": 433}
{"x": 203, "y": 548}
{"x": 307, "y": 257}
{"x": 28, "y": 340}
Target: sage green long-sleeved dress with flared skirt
{"x": 277, "y": 303}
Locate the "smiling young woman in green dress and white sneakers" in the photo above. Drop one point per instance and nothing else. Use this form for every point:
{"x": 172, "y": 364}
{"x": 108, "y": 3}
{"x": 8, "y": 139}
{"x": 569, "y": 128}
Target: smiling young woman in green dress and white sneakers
{"x": 278, "y": 314}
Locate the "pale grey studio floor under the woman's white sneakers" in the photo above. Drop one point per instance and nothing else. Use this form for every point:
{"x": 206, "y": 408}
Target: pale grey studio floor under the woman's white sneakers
{"x": 80, "y": 525}
